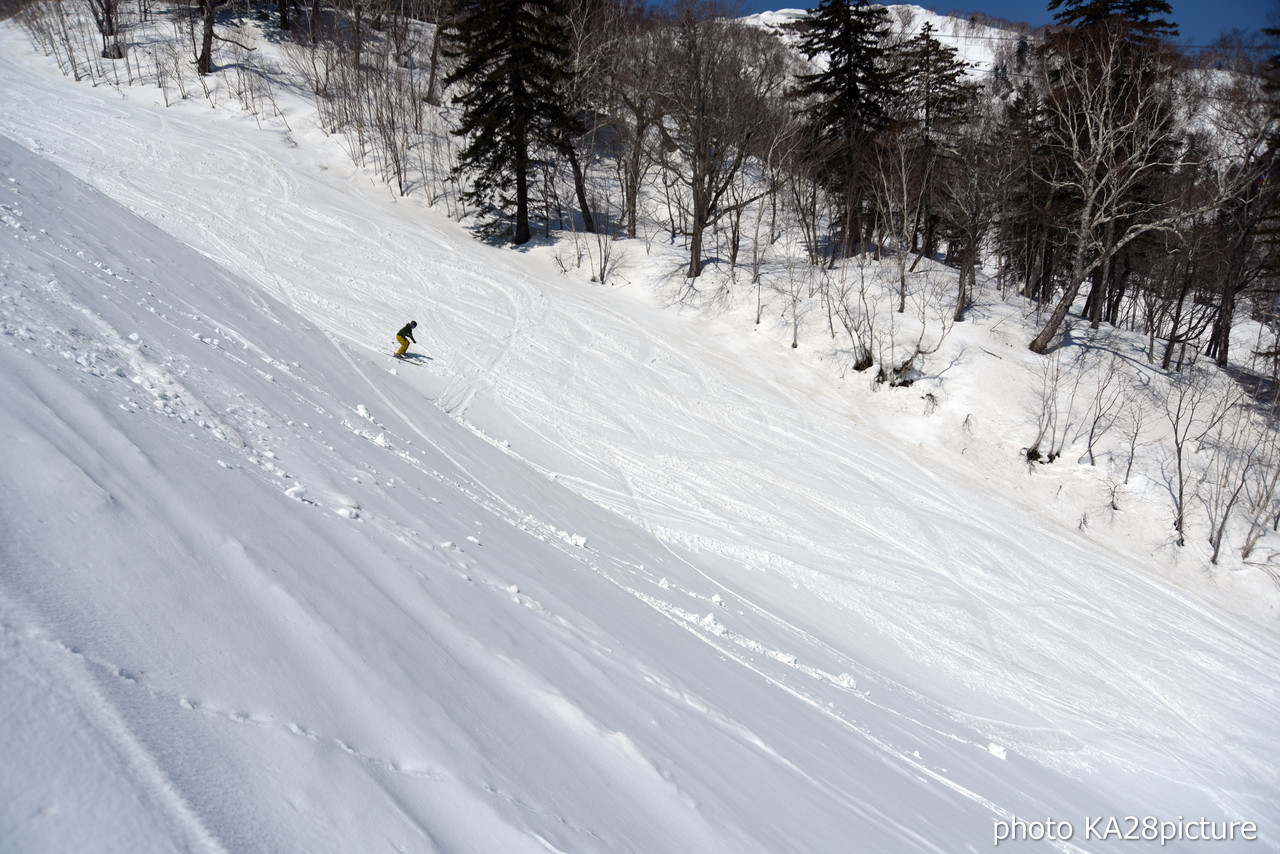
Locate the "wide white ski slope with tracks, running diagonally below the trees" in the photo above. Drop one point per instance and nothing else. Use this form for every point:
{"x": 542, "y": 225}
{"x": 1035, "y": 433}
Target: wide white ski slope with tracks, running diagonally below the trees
{"x": 592, "y": 574}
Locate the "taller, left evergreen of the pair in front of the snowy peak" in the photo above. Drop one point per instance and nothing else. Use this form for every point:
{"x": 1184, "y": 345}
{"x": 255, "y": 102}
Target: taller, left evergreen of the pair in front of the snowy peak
{"x": 847, "y": 102}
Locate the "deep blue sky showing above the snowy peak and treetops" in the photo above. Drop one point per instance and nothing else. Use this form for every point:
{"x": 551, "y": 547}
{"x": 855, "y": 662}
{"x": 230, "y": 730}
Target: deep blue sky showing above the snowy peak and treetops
{"x": 1199, "y": 21}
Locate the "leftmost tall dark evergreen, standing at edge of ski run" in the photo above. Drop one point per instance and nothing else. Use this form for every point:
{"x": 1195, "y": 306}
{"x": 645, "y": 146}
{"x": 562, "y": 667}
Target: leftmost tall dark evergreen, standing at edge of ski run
{"x": 514, "y": 72}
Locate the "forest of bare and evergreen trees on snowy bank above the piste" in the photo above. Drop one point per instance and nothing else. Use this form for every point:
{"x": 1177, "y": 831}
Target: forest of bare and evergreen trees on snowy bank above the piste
{"x": 1094, "y": 170}
